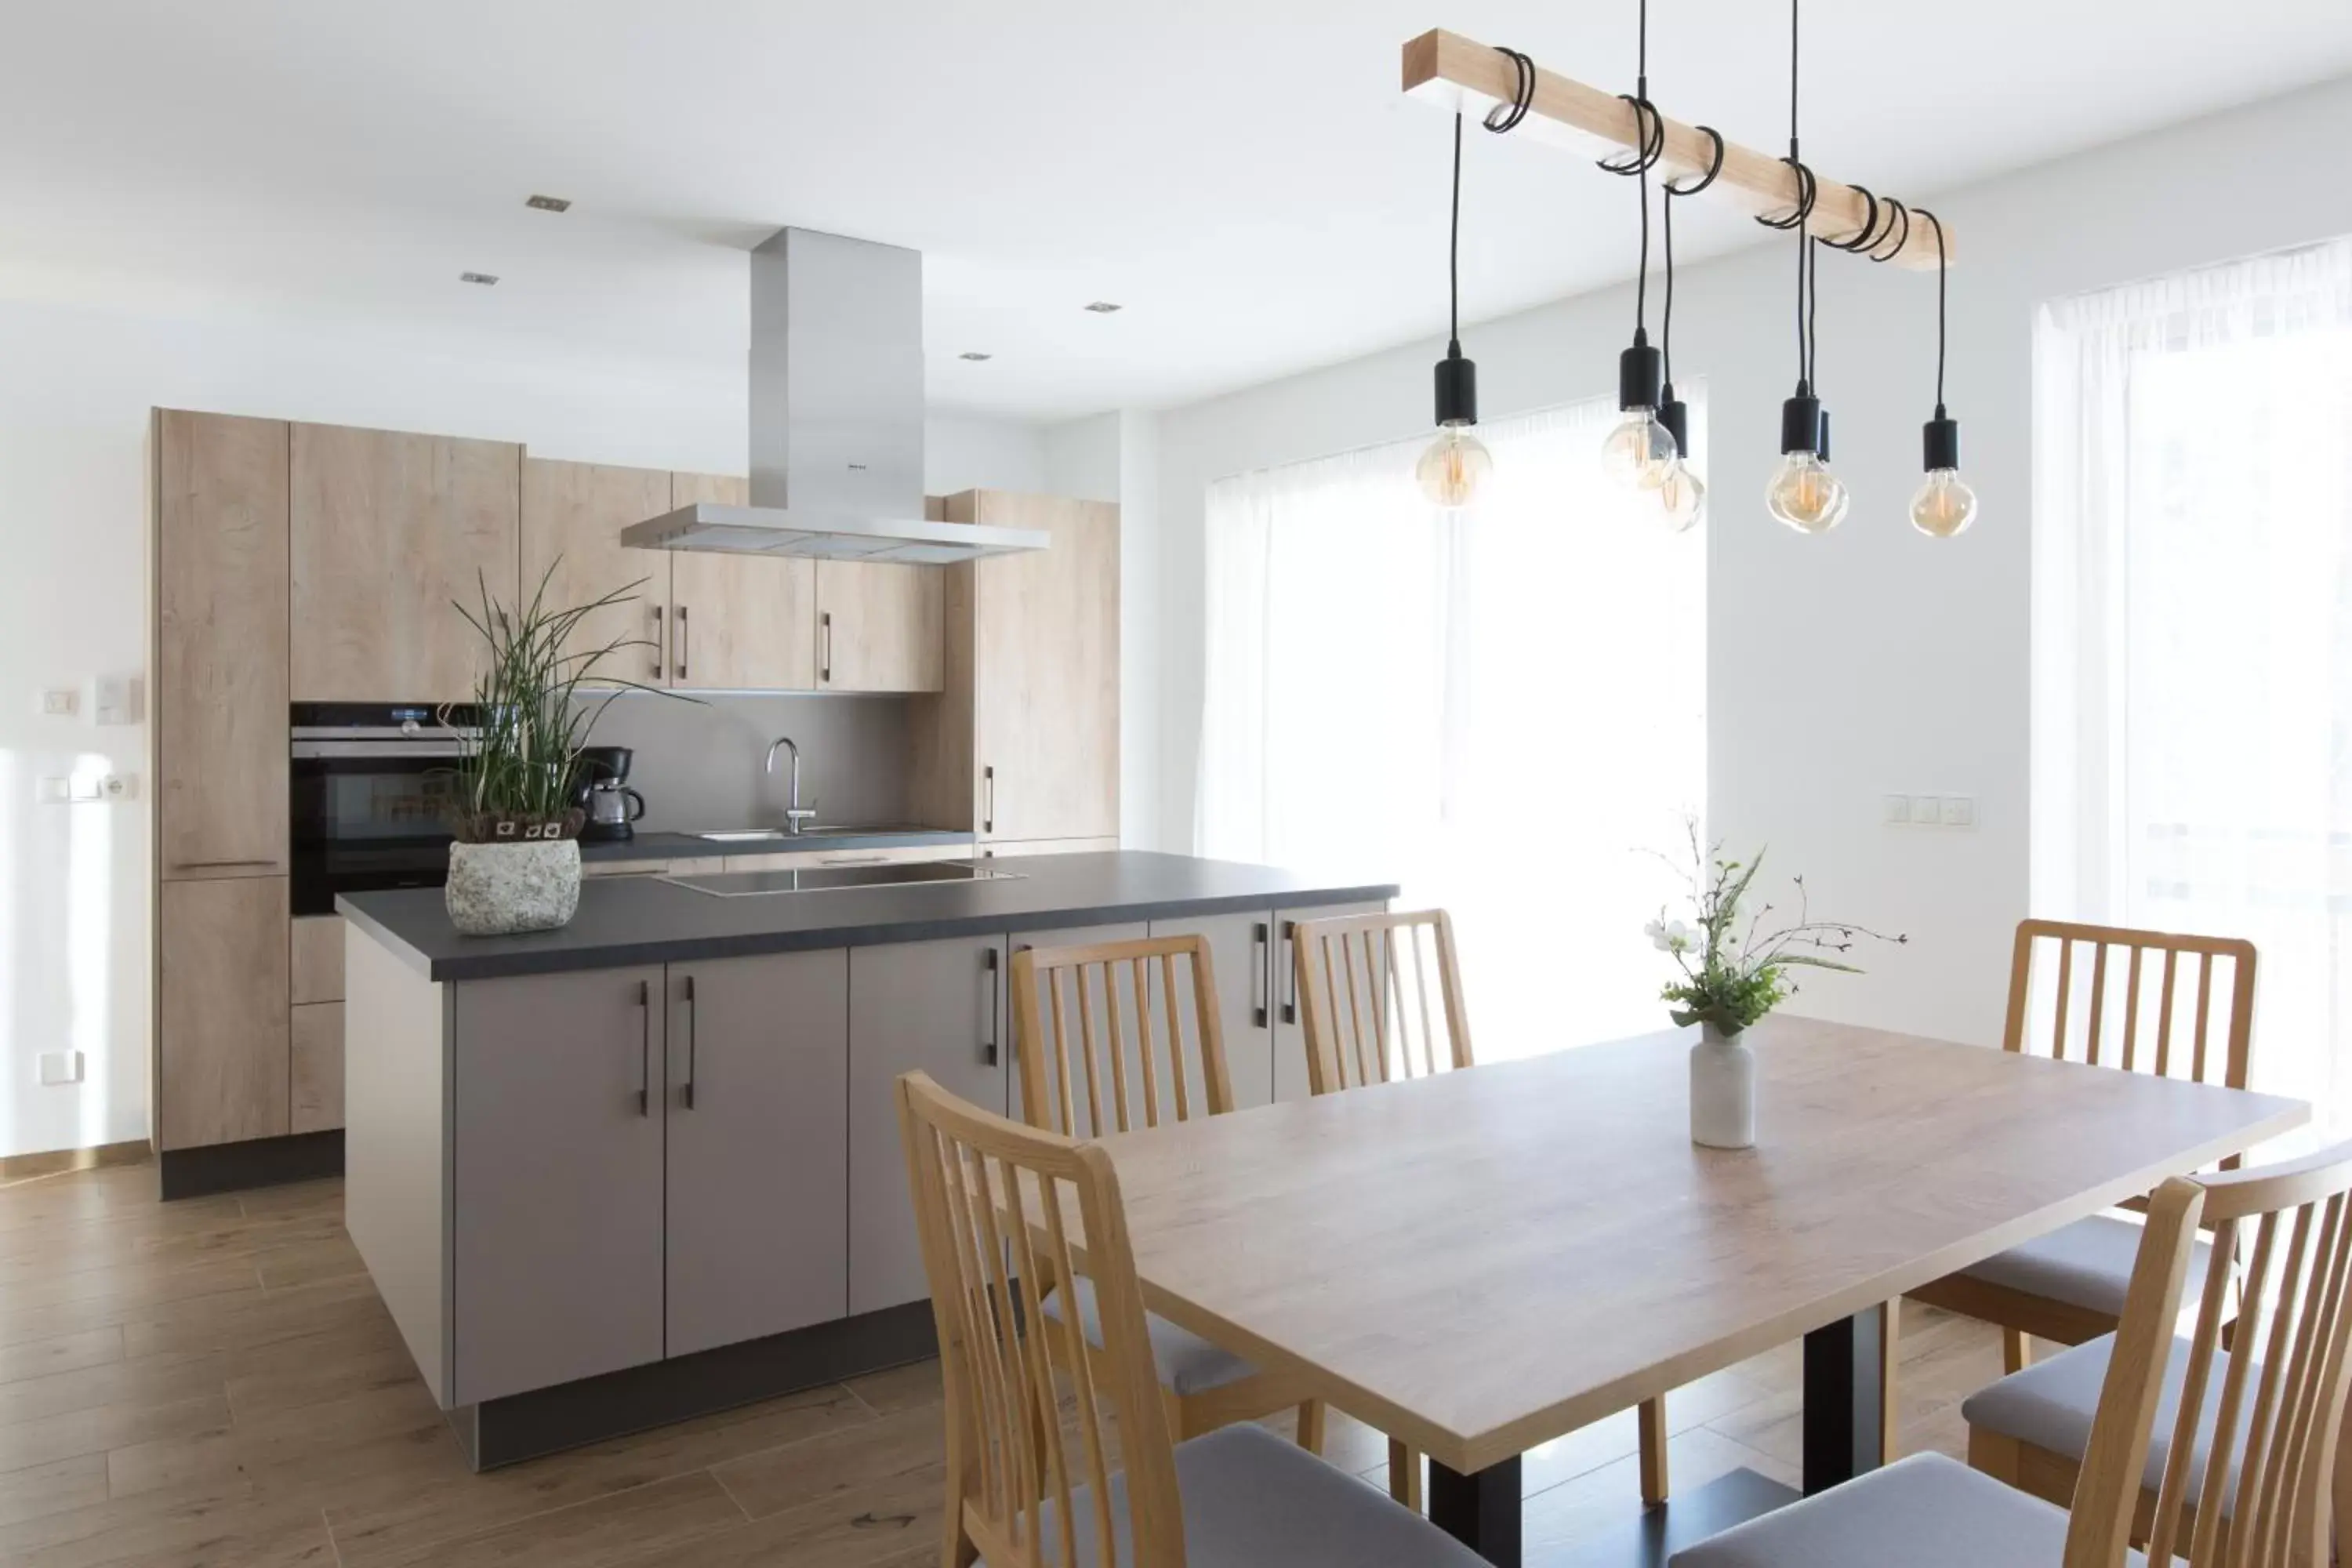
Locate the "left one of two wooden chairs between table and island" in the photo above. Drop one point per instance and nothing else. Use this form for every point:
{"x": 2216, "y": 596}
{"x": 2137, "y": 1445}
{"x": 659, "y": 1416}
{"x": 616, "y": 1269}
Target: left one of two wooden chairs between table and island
{"x": 1118, "y": 1038}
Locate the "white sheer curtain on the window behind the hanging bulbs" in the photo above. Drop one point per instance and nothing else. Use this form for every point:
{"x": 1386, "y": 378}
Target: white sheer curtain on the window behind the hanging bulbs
{"x": 1502, "y": 709}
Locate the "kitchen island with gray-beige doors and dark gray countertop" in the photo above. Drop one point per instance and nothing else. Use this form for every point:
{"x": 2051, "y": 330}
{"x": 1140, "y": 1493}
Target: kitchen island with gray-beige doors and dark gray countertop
{"x": 648, "y": 1167}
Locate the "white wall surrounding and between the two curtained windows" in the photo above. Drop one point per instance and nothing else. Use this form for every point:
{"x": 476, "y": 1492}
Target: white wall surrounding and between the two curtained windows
{"x": 1873, "y": 659}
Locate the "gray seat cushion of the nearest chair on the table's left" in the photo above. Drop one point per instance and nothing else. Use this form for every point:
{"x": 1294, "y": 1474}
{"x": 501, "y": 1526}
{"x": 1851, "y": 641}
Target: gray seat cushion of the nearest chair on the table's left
{"x": 1255, "y": 1501}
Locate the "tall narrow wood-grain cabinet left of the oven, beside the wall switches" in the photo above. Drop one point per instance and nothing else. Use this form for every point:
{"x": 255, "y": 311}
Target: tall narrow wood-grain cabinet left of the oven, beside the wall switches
{"x": 220, "y": 598}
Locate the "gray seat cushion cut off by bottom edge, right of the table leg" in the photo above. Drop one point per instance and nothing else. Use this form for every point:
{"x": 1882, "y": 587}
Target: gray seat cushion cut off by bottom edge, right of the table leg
{"x": 1920, "y": 1513}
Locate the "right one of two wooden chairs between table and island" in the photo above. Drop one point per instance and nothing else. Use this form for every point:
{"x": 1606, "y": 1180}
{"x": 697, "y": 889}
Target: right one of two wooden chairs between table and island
{"x": 1370, "y": 1019}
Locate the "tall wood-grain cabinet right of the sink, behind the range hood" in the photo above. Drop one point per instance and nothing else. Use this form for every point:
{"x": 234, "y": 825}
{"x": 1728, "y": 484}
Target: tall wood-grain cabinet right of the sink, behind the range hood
{"x": 1024, "y": 744}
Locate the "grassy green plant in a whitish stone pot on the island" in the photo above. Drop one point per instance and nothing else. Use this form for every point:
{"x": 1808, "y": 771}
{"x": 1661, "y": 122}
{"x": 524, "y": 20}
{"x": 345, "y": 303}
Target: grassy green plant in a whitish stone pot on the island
{"x": 516, "y": 862}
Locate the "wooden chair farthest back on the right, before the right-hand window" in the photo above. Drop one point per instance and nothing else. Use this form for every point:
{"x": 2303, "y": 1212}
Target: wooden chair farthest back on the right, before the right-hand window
{"x": 2156, "y": 1003}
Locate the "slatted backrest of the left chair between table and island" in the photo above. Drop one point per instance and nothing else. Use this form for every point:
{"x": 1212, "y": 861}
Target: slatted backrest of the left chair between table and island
{"x": 1158, "y": 1061}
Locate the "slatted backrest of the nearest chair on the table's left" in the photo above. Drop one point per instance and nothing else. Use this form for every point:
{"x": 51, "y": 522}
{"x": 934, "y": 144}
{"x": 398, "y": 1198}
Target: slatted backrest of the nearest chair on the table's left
{"x": 996, "y": 1207}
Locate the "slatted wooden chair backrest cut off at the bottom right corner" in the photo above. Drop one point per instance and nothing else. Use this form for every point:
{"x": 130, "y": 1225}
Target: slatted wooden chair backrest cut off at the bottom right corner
{"x": 2271, "y": 1416}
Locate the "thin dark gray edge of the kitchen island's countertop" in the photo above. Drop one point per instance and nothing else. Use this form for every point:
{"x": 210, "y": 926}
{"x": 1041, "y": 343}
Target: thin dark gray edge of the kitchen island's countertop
{"x": 869, "y": 934}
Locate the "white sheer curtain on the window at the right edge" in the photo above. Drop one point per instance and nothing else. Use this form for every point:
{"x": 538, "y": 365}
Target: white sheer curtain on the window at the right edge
{"x": 2193, "y": 631}
